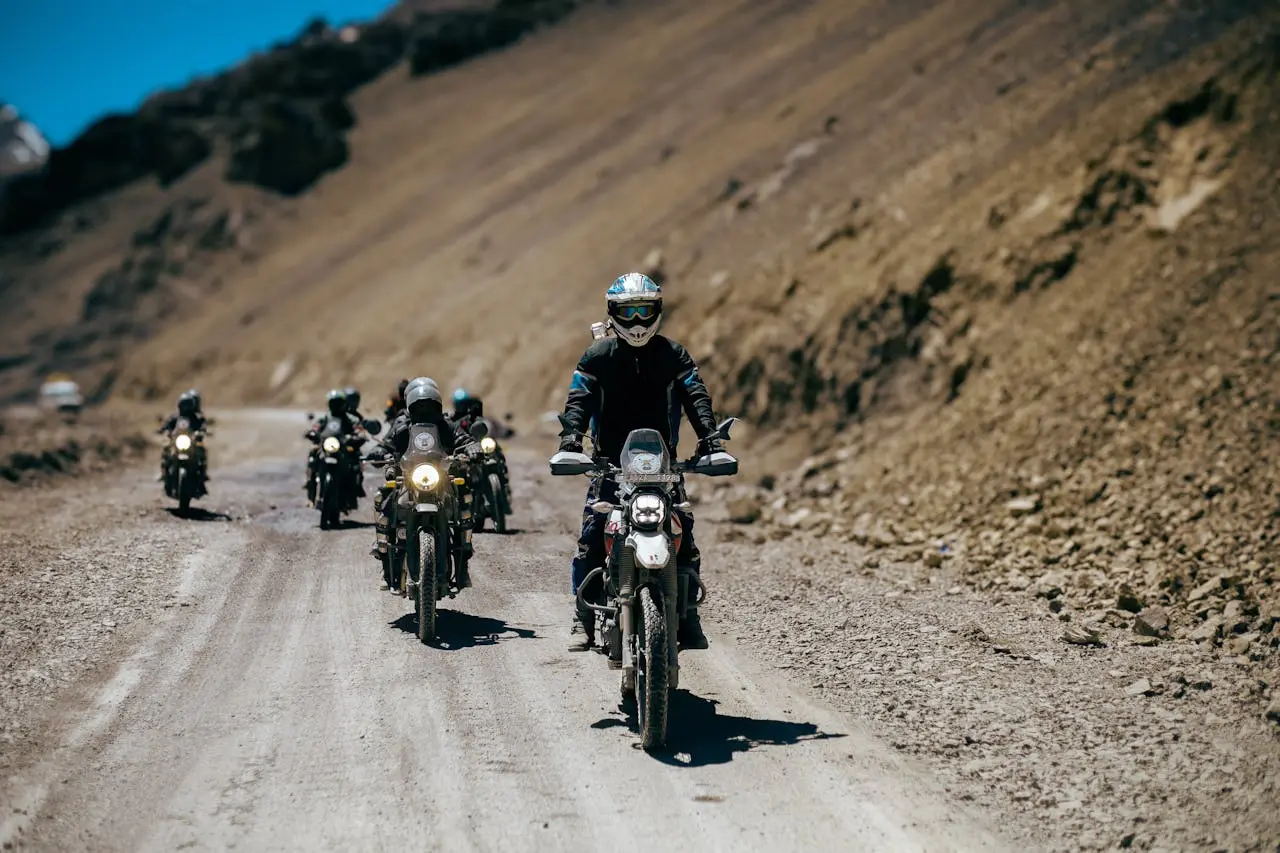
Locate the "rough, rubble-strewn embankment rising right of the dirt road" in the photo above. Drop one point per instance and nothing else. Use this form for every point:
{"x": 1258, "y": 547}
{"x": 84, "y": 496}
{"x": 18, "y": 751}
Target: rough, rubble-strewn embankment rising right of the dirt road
{"x": 1071, "y": 387}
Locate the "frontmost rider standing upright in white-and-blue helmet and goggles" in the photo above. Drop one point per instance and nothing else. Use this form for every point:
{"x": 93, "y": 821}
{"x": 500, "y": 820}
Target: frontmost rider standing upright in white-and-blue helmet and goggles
{"x": 632, "y": 382}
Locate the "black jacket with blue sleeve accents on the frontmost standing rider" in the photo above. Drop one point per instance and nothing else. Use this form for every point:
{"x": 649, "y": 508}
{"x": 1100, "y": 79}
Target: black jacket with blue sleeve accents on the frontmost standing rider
{"x": 619, "y": 387}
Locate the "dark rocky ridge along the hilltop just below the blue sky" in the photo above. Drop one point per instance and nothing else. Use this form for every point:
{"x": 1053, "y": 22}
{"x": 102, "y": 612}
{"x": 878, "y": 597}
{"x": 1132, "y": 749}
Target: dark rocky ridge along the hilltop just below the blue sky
{"x": 278, "y": 118}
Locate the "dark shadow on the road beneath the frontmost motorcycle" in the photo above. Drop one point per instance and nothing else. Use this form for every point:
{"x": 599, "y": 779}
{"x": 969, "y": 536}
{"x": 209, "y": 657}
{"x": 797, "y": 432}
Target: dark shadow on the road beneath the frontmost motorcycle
{"x": 697, "y": 736}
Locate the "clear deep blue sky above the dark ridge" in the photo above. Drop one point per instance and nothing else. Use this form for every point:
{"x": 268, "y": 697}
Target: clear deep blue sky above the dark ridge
{"x": 65, "y": 63}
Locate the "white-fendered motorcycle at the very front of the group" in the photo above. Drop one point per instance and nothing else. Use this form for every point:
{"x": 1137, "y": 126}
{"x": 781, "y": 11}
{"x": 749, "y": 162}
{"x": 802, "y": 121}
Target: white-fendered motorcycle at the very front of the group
{"x": 641, "y": 596}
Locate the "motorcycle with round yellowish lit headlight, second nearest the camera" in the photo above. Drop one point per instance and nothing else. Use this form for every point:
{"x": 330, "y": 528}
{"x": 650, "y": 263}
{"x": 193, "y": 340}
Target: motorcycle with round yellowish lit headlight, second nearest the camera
{"x": 432, "y": 524}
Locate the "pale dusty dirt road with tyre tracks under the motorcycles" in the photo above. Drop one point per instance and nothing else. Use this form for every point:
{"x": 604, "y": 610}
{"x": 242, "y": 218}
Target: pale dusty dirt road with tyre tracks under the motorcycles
{"x": 280, "y": 700}
